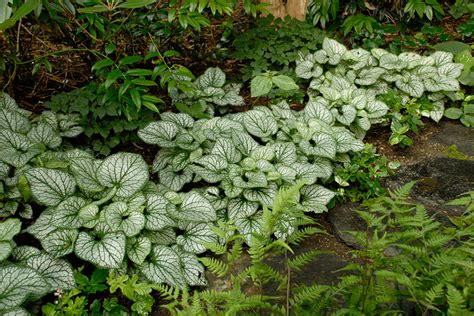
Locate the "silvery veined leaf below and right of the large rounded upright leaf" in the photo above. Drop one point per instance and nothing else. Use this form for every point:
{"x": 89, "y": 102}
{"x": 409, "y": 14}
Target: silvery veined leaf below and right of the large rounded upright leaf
{"x": 156, "y": 213}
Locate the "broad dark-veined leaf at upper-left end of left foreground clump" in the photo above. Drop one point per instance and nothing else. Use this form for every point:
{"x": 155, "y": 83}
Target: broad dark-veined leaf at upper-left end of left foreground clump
{"x": 49, "y": 186}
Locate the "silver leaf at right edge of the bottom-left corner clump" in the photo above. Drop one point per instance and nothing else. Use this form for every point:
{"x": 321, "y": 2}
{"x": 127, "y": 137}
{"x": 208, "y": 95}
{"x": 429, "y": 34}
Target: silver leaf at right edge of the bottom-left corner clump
{"x": 57, "y": 273}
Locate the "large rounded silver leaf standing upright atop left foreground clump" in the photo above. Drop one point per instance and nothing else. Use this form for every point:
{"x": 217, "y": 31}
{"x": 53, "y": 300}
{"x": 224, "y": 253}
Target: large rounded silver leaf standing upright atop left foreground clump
{"x": 126, "y": 172}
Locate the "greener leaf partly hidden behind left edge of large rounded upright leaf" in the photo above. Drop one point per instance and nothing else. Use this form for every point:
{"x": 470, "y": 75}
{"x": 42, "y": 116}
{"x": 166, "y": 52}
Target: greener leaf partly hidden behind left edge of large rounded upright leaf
{"x": 85, "y": 171}
